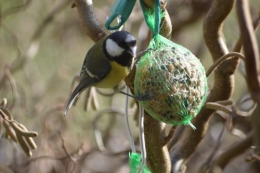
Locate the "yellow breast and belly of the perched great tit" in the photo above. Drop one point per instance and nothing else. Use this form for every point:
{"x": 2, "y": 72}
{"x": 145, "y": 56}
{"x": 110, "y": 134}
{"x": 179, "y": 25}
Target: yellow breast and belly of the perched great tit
{"x": 114, "y": 77}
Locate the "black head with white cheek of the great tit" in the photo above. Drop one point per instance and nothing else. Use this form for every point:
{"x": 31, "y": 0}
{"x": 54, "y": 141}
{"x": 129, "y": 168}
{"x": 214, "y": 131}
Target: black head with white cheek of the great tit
{"x": 120, "y": 47}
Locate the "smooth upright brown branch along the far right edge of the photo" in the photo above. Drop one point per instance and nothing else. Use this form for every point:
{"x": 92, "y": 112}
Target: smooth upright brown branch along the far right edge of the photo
{"x": 251, "y": 64}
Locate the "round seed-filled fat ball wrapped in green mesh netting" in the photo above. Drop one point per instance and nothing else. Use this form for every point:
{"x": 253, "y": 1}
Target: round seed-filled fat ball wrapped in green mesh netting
{"x": 176, "y": 80}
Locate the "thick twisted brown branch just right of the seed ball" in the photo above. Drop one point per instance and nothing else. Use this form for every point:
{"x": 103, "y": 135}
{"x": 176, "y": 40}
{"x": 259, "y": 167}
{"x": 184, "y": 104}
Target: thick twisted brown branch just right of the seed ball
{"x": 224, "y": 79}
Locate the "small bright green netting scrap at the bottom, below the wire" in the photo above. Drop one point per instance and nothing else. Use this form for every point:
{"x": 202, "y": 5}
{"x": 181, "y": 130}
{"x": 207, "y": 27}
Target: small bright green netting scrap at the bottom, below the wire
{"x": 135, "y": 164}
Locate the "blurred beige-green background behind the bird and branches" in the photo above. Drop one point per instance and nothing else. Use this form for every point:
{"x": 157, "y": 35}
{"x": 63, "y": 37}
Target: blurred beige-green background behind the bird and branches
{"x": 44, "y": 45}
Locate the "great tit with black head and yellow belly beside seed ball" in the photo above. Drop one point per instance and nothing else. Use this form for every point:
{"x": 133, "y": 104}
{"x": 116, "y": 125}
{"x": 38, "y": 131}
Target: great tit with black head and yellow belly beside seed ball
{"x": 107, "y": 63}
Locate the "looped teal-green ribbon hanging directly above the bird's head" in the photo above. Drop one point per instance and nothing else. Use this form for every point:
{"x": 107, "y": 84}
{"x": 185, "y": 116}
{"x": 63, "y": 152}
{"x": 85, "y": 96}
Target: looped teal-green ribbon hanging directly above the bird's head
{"x": 122, "y": 9}
